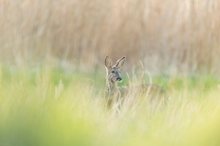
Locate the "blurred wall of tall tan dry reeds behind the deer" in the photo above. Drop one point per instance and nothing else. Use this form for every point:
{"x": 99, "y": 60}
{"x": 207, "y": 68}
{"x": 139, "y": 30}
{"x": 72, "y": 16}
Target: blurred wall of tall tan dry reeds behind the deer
{"x": 170, "y": 35}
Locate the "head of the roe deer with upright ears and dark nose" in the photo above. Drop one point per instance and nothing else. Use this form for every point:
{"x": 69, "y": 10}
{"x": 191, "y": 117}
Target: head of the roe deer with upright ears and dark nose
{"x": 113, "y": 71}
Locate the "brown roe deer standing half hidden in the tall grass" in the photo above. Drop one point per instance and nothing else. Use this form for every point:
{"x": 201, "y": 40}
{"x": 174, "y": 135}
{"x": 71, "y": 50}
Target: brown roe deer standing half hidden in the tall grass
{"x": 116, "y": 95}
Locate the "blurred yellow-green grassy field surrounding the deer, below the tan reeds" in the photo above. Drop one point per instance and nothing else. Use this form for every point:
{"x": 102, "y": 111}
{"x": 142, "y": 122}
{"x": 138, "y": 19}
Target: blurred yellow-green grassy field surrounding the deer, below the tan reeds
{"x": 50, "y": 107}
